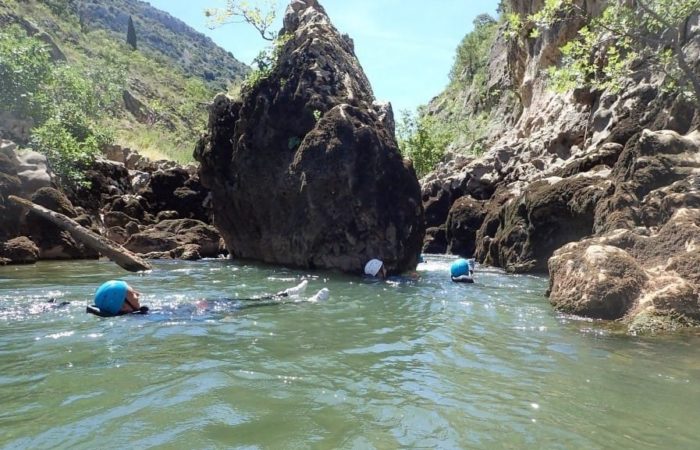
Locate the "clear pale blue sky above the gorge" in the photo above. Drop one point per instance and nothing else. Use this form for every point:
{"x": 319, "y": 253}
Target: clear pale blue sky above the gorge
{"x": 406, "y": 47}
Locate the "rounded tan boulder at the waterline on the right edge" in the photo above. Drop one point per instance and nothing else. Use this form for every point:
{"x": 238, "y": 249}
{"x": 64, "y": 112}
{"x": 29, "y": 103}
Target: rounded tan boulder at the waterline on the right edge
{"x": 650, "y": 281}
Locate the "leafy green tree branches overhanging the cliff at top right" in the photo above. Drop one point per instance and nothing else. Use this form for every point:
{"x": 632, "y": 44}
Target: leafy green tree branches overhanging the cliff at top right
{"x": 612, "y": 45}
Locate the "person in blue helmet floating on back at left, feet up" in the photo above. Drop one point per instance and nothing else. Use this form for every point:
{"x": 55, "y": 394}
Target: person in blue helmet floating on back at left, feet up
{"x": 116, "y": 297}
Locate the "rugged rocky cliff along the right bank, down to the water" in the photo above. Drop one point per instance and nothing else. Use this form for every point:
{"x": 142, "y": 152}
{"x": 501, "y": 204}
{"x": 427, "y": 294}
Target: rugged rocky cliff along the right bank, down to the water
{"x": 610, "y": 174}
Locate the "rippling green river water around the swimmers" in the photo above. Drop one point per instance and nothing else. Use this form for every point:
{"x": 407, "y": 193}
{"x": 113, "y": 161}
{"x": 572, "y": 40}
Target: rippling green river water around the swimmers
{"x": 429, "y": 364}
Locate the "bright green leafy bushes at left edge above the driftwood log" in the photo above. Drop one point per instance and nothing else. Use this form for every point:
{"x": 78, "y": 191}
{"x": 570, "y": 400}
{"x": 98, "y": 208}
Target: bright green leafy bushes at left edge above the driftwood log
{"x": 65, "y": 102}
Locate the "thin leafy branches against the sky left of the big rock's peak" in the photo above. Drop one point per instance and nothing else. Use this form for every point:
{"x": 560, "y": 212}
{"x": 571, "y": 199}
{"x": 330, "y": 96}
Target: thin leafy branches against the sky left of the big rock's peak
{"x": 240, "y": 11}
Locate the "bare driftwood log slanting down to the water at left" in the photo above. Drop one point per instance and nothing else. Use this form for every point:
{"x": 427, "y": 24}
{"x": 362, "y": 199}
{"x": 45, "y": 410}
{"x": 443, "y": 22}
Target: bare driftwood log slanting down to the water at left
{"x": 123, "y": 257}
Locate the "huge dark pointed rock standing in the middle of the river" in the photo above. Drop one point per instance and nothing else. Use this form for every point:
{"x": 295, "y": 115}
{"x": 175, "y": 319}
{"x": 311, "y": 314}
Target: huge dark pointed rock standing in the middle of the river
{"x": 305, "y": 170}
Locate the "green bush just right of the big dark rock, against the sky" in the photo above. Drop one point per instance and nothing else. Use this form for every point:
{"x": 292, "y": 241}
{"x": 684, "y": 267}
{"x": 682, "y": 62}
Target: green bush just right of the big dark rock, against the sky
{"x": 424, "y": 140}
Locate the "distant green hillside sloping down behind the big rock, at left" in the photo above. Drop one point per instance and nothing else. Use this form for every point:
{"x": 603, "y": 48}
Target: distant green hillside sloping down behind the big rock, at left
{"x": 153, "y": 98}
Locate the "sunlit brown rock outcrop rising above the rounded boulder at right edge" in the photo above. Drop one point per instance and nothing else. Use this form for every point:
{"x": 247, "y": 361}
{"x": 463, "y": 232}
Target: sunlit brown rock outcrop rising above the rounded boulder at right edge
{"x": 651, "y": 225}
